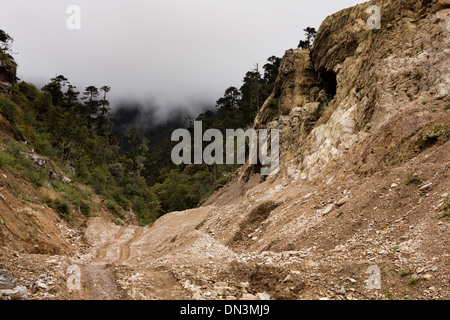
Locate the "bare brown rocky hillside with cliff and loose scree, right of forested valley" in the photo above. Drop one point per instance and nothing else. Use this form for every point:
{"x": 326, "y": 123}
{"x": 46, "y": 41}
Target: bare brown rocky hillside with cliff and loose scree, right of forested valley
{"x": 363, "y": 183}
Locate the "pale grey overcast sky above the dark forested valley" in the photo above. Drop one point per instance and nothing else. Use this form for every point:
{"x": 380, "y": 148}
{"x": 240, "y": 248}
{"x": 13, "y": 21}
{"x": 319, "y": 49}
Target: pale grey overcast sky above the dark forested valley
{"x": 175, "y": 52}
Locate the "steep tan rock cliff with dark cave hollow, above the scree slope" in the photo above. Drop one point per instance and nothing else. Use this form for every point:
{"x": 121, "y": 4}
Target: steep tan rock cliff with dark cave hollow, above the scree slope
{"x": 349, "y": 103}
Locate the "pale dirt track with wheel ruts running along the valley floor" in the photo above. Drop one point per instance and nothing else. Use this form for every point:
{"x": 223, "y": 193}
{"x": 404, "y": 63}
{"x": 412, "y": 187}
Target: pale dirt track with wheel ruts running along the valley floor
{"x": 101, "y": 265}
